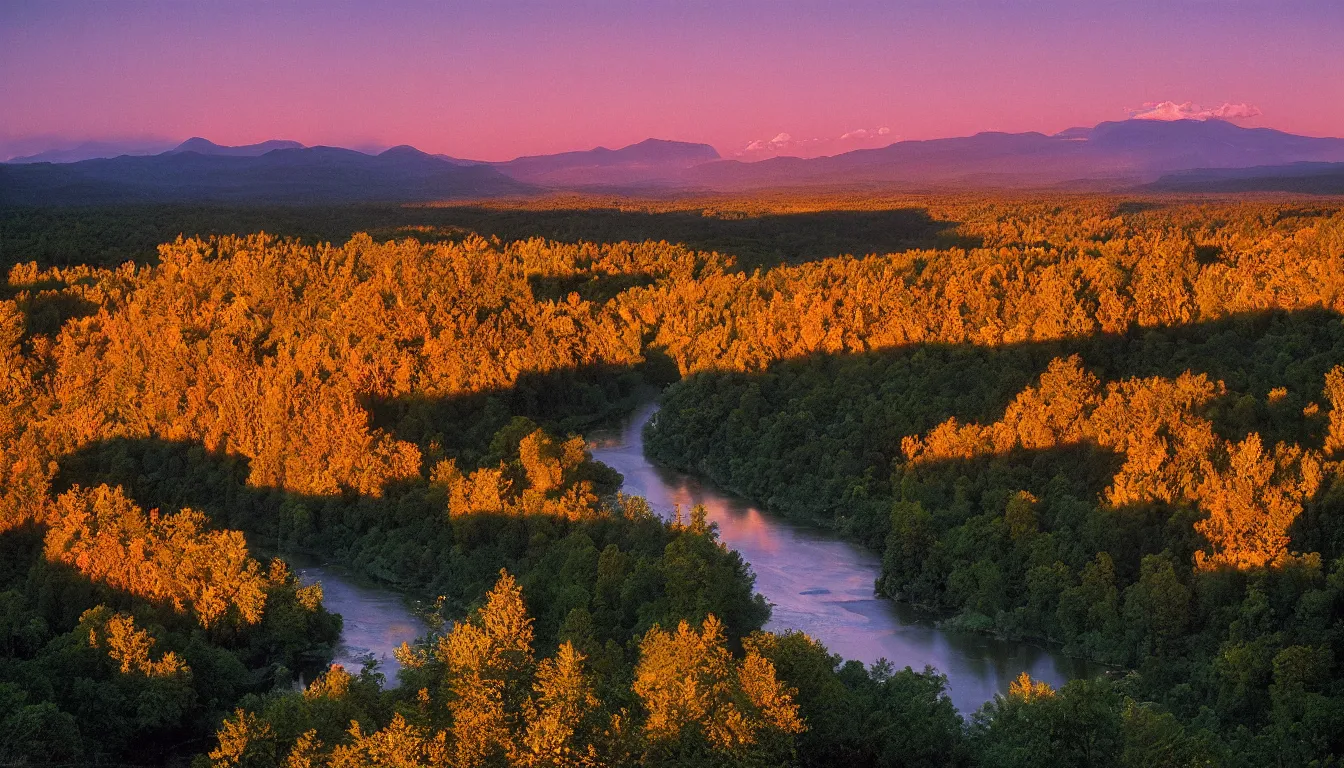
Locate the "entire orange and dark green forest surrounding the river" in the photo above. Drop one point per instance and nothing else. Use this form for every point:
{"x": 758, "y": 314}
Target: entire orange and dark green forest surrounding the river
{"x": 1112, "y": 426}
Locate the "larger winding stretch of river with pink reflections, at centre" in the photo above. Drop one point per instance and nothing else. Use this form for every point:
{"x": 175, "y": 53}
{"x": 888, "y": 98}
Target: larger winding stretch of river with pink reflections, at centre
{"x": 825, "y": 587}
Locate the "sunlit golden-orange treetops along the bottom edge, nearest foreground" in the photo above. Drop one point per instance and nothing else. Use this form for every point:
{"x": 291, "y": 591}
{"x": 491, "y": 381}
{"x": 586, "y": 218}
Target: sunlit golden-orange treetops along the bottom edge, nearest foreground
{"x": 503, "y": 707}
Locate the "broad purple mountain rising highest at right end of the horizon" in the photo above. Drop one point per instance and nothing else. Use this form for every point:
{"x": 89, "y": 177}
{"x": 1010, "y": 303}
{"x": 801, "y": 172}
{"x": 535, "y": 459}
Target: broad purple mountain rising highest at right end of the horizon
{"x": 1120, "y": 154}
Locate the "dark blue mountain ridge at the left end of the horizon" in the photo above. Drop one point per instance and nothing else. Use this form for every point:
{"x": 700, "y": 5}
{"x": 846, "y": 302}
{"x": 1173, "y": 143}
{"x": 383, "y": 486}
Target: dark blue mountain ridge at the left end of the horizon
{"x": 300, "y": 176}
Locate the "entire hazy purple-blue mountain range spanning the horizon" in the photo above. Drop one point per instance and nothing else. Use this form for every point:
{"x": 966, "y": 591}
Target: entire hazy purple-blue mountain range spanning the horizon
{"x": 1191, "y": 155}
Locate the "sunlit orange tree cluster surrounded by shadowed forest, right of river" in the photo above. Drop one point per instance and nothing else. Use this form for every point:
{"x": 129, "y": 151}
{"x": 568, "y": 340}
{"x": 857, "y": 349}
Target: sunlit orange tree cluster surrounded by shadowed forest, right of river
{"x": 1171, "y": 455}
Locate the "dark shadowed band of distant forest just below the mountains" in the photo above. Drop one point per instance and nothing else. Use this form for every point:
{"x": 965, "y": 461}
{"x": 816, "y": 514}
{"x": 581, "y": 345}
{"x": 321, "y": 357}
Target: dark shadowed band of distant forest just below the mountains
{"x": 756, "y": 236}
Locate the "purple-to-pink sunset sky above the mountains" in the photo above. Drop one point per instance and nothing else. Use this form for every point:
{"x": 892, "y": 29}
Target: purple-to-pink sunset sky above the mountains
{"x": 495, "y": 80}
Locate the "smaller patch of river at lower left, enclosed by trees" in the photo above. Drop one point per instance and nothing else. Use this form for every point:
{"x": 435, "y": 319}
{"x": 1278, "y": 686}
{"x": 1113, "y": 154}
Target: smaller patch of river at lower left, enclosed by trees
{"x": 376, "y": 622}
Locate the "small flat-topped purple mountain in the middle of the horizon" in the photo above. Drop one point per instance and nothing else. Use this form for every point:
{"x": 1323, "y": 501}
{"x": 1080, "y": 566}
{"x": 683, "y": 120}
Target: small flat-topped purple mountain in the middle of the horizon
{"x": 650, "y": 161}
